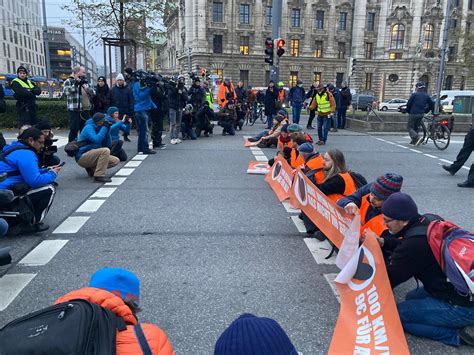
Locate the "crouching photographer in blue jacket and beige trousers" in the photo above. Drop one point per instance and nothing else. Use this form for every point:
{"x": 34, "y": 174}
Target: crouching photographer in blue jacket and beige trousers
{"x": 95, "y": 156}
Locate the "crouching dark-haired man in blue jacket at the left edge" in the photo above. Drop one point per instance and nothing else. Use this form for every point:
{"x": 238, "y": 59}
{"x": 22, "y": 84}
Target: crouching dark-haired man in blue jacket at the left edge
{"x": 32, "y": 186}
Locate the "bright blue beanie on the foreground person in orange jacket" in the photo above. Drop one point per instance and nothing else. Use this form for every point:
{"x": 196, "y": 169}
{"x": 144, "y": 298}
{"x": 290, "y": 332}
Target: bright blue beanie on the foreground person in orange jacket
{"x": 120, "y": 282}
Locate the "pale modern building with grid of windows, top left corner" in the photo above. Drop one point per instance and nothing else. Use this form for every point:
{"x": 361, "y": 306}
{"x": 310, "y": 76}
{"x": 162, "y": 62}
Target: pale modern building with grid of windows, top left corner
{"x": 21, "y": 37}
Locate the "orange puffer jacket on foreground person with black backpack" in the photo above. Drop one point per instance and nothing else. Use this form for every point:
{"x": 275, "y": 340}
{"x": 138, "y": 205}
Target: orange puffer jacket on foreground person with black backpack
{"x": 127, "y": 342}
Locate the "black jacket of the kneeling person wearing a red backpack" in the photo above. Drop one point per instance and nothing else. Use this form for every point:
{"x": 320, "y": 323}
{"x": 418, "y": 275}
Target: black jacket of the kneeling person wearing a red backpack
{"x": 413, "y": 258}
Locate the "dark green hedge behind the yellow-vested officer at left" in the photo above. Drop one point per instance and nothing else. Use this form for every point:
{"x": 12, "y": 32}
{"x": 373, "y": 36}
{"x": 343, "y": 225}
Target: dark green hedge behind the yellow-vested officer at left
{"x": 52, "y": 109}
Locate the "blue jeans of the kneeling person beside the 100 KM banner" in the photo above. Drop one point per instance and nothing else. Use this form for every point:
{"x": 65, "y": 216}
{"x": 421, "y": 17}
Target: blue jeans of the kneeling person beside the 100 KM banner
{"x": 428, "y": 317}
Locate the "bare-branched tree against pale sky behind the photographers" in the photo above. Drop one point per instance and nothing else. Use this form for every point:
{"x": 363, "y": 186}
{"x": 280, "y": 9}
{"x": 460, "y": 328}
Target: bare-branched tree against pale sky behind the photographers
{"x": 140, "y": 20}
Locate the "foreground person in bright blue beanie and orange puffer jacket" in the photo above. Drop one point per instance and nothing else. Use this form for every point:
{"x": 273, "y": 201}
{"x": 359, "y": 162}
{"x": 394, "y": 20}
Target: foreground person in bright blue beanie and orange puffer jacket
{"x": 118, "y": 290}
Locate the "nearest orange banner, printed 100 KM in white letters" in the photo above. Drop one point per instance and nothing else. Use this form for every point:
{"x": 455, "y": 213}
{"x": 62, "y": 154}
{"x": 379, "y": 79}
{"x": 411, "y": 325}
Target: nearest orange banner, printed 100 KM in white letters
{"x": 368, "y": 321}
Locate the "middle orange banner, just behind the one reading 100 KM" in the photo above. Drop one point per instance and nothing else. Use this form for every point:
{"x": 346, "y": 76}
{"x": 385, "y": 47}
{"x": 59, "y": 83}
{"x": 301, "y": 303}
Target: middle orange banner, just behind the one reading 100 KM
{"x": 331, "y": 219}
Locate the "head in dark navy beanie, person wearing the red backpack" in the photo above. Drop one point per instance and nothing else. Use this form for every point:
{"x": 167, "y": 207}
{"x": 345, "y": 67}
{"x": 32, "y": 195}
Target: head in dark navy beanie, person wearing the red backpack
{"x": 397, "y": 211}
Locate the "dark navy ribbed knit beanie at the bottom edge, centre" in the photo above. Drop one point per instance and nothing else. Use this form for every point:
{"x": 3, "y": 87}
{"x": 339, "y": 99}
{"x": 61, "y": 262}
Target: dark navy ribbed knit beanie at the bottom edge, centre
{"x": 249, "y": 335}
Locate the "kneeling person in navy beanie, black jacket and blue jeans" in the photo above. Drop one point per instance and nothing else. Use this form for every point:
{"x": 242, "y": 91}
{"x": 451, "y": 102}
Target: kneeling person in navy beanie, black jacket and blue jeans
{"x": 436, "y": 310}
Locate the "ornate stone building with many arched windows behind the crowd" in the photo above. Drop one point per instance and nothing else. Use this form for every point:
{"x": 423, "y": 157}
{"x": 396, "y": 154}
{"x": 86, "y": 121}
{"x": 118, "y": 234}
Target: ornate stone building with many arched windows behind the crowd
{"x": 395, "y": 42}
